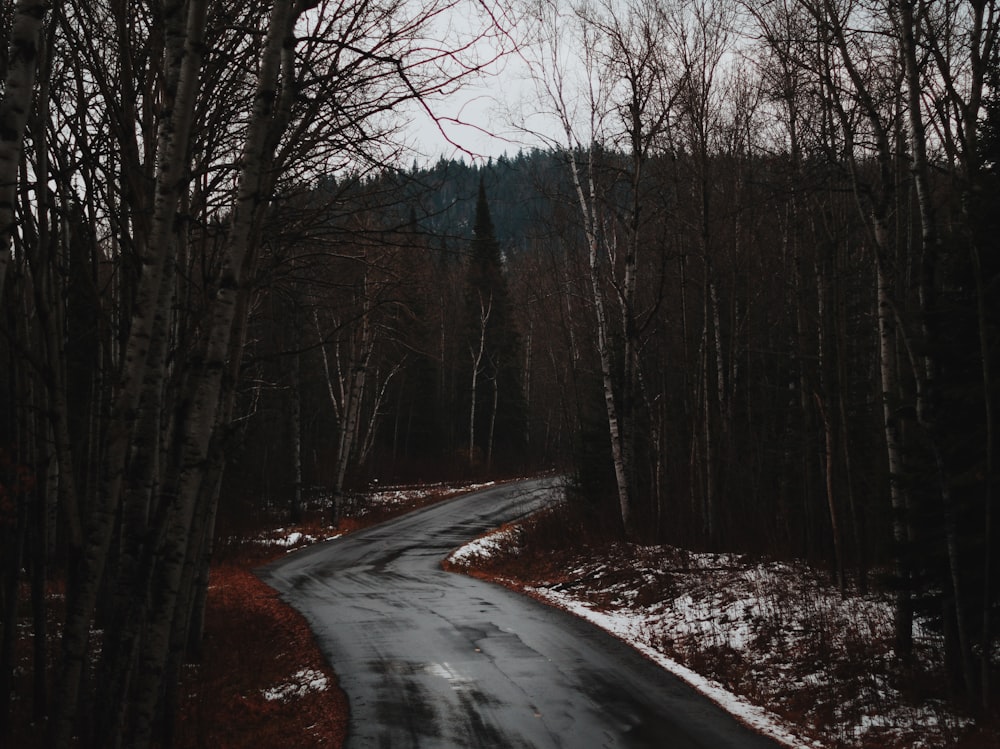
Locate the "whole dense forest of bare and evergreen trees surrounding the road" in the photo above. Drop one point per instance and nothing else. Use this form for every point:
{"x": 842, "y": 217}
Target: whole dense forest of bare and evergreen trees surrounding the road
{"x": 746, "y": 298}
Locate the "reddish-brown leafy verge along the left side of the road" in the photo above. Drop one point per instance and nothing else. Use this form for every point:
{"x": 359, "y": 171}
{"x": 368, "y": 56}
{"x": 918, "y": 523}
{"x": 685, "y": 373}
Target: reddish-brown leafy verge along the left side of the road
{"x": 253, "y": 644}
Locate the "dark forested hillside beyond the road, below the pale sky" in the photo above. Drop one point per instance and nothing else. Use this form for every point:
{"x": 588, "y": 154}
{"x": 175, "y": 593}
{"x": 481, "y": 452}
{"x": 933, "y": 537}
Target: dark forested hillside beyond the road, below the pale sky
{"x": 774, "y": 343}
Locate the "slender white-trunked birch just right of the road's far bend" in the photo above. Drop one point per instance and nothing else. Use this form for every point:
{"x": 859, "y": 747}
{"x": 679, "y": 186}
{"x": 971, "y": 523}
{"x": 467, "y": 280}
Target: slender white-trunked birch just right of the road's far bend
{"x": 625, "y": 100}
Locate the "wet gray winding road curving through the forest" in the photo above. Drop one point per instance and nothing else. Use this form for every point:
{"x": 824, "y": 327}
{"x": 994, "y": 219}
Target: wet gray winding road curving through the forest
{"x": 439, "y": 660}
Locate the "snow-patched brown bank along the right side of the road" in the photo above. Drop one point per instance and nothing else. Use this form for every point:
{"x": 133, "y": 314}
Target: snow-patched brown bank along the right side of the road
{"x": 772, "y": 642}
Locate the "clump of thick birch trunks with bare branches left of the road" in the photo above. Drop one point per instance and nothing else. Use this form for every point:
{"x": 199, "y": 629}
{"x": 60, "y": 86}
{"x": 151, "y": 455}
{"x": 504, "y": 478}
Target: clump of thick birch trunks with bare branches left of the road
{"x": 135, "y": 207}
